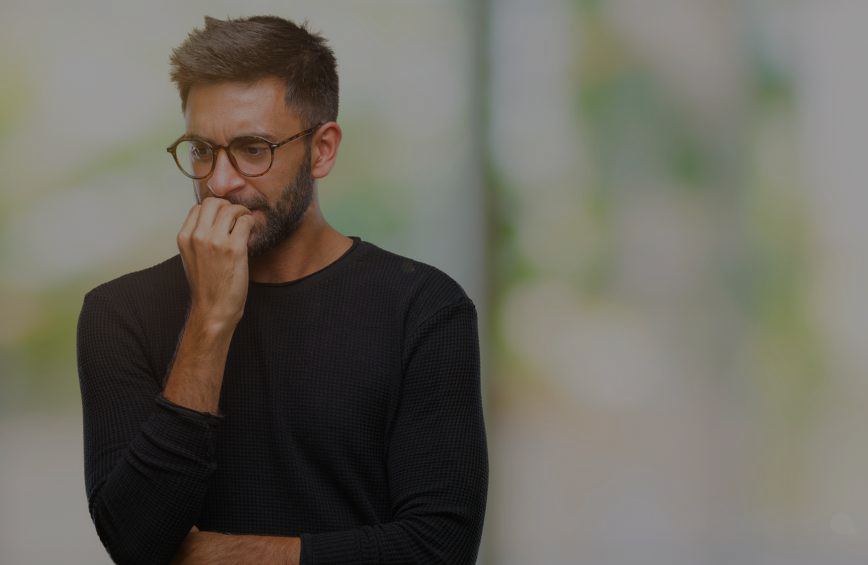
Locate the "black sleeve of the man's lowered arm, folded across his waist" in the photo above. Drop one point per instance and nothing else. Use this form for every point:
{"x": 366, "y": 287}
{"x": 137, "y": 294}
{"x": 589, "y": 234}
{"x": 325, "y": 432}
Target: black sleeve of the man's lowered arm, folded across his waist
{"x": 437, "y": 460}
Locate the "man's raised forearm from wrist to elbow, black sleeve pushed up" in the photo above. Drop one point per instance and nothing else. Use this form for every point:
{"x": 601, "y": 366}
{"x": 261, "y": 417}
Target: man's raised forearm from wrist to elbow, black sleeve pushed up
{"x": 151, "y": 497}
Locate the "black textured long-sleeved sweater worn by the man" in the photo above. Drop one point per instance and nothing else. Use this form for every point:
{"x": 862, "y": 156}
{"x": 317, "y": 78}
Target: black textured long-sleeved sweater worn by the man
{"x": 350, "y": 415}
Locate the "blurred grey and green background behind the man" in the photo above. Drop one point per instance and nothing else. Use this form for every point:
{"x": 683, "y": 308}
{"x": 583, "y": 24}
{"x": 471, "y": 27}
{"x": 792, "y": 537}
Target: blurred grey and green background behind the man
{"x": 656, "y": 206}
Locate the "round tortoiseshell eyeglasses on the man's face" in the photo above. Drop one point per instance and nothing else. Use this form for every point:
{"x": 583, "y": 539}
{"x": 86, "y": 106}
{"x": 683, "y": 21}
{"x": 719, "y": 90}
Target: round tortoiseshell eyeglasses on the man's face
{"x": 251, "y": 155}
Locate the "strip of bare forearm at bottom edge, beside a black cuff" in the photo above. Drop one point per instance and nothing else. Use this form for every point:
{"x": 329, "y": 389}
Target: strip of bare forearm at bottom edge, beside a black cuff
{"x": 212, "y": 548}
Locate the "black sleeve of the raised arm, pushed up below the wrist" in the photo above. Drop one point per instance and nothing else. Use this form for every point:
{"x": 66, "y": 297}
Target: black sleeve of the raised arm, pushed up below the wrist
{"x": 146, "y": 459}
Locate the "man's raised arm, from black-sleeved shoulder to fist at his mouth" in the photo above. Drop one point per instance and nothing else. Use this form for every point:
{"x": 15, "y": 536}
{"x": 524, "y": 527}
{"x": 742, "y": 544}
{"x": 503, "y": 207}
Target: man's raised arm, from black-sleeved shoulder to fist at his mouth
{"x": 149, "y": 452}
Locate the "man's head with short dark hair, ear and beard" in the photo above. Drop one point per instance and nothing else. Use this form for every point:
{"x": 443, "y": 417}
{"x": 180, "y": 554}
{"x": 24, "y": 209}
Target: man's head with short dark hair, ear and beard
{"x": 267, "y": 77}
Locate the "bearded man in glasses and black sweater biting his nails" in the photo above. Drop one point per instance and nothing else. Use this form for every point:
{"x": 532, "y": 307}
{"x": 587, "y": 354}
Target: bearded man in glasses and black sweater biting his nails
{"x": 277, "y": 392}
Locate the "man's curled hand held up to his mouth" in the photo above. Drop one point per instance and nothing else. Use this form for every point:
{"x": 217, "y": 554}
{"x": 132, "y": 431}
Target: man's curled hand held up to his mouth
{"x": 213, "y": 245}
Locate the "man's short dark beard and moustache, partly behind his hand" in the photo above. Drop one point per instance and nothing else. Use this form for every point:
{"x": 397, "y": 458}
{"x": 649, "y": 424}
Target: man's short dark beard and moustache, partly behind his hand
{"x": 283, "y": 218}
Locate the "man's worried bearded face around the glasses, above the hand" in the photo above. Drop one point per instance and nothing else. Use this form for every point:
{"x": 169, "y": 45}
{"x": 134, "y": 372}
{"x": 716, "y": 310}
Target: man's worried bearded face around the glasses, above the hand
{"x": 223, "y": 111}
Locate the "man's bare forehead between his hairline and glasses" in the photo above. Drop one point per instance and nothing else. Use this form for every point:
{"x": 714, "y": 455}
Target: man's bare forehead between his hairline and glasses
{"x": 226, "y": 108}
